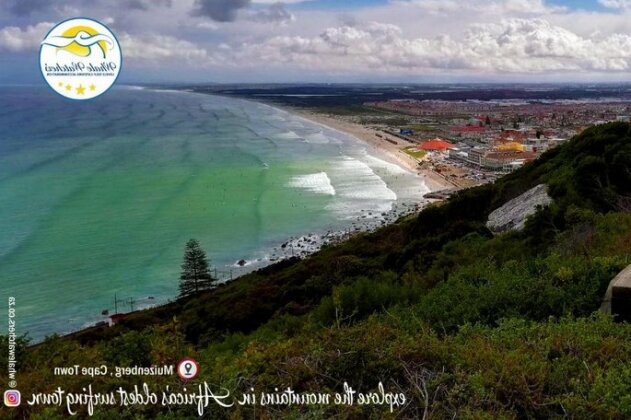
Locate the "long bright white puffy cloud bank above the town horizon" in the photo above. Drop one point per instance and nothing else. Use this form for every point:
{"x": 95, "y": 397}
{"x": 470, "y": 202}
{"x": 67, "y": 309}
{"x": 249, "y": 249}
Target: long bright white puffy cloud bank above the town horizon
{"x": 512, "y": 45}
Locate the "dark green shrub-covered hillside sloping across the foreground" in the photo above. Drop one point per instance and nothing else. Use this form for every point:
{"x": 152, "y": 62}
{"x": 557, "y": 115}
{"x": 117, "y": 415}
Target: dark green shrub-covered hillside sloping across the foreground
{"x": 462, "y": 322}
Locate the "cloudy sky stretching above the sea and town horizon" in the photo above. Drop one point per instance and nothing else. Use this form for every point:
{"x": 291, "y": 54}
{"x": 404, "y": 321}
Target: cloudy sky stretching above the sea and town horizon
{"x": 339, "y": 40}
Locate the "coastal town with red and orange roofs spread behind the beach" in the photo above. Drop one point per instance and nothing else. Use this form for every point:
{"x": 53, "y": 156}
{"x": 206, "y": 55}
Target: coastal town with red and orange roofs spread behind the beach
{"x": 488, "y": 138}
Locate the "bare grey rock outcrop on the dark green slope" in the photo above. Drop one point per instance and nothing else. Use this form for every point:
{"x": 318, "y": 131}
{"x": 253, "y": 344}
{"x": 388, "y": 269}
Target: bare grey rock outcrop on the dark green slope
{"x": 513, "y": 214}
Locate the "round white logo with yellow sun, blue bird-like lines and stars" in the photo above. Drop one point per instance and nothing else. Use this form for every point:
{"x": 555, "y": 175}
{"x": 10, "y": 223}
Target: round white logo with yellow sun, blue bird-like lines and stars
{"x": 80, "y": 58}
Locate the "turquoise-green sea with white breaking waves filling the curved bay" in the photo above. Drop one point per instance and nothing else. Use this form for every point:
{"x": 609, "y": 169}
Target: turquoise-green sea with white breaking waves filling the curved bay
{"x": 99, "y": 197}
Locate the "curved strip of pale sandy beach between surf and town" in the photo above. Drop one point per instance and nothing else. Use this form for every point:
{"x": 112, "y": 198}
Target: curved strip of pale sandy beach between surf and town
{"x": 391, "y": 147}
